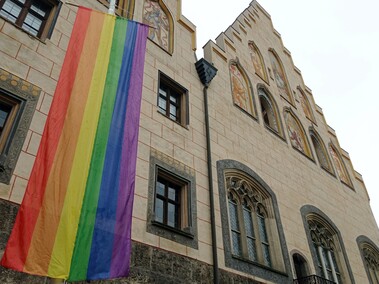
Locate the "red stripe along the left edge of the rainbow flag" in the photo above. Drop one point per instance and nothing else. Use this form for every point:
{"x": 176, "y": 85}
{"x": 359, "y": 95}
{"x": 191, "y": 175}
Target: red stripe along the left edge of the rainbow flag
{"x": 19, "y": 242}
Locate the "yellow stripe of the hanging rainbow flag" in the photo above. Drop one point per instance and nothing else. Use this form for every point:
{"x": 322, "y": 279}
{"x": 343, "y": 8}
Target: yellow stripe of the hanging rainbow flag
{"x": 66, "y": 235}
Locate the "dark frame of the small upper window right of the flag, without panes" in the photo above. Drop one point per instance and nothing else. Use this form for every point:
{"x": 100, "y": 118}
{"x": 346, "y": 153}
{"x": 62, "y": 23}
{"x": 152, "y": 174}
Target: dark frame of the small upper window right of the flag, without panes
{"x": 173, "y": 89}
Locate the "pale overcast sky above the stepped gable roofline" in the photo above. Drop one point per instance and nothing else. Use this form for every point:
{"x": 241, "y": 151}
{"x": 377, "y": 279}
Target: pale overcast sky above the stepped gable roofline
{"x": 335, "y": 43}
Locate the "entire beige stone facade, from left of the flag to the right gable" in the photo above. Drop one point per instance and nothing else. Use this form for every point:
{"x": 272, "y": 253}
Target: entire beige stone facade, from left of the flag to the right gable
{"x": 295, "y": 179}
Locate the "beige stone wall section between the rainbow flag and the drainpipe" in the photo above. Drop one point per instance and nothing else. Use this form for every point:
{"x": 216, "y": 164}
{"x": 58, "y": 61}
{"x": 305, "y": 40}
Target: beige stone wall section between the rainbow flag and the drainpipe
{"x": 184, "y": 144}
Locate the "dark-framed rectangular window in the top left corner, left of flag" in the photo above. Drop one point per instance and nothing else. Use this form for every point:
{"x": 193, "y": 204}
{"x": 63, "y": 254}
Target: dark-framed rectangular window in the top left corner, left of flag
{"x": 36, "y": 17}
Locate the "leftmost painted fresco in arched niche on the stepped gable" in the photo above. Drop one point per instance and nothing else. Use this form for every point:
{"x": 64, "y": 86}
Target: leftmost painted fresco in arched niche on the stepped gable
{"x": 240, "y": 91}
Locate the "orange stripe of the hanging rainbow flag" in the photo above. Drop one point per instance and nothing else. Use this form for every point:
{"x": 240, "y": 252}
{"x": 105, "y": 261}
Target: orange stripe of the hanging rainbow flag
{"x": 47, "y": 224}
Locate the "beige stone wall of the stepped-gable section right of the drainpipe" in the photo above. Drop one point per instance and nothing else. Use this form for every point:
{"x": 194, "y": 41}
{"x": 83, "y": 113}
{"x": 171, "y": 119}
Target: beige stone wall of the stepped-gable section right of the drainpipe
{"x": 295, "y": 179}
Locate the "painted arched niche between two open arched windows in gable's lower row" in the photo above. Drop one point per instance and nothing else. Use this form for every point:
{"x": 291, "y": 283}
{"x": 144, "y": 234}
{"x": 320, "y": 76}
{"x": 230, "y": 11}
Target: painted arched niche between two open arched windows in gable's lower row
{"x": 296, "y": 133}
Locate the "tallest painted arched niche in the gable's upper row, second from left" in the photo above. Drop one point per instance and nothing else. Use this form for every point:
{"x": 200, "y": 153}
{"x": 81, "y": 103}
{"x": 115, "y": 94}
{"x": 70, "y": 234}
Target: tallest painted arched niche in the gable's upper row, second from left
{"x": 280, "y": 76}
